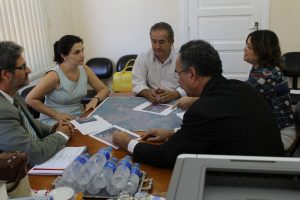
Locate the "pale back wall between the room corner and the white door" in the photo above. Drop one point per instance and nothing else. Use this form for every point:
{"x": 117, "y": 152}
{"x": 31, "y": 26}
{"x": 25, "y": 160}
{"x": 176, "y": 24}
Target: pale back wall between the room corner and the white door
{"x": 113, "y": 28}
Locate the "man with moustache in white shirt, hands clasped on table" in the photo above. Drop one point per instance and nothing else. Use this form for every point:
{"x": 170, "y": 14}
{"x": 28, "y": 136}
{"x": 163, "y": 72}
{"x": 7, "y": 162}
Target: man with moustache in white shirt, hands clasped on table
{"x": 153, "y": 74}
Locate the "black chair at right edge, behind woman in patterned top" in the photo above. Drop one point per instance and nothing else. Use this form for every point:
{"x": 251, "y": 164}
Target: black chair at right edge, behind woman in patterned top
{"x": 291, "y": 68}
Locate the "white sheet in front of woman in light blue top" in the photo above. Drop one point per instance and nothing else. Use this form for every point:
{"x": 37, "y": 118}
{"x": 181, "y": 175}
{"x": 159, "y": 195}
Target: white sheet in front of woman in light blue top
{"x": 91, "y": 124}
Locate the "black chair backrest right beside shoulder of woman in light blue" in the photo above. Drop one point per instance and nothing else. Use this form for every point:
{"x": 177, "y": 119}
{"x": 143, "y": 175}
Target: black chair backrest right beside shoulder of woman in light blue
{"x": 102, "y": 67}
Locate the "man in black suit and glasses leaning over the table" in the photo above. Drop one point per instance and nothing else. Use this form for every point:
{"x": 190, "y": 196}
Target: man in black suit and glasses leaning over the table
{"x": 229, "y": 118}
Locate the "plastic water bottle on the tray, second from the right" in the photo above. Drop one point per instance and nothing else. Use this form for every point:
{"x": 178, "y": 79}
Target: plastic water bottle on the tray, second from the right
{"x": 120, "y": 177}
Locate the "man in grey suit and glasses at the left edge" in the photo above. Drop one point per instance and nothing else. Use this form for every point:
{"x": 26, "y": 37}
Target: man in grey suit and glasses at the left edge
{"x": 18, "y": 130}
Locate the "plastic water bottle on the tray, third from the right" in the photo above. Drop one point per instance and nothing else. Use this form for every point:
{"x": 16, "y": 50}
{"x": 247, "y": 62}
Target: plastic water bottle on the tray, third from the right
{"x": 101, "y": 179}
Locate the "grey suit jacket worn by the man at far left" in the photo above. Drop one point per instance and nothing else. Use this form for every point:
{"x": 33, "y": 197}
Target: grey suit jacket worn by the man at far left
{"x": 15, "y": 137}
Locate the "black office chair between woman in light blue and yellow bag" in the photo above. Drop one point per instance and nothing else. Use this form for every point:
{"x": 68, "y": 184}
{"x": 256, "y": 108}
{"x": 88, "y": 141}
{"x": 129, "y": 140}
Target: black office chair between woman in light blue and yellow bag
{"x": 103, "y": 68}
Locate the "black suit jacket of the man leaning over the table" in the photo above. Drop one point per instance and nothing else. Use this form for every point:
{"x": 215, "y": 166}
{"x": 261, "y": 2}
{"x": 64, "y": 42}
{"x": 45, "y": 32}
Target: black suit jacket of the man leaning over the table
{"x": 229, "y": 118}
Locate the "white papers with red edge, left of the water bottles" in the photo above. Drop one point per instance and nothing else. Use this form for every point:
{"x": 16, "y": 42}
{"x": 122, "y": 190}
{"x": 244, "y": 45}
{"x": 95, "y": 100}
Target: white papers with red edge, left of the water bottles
{"x": 57, "y": 163}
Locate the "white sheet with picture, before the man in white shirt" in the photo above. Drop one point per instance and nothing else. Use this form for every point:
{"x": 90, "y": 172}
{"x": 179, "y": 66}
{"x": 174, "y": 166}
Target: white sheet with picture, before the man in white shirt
{"x": 159, "y": 109}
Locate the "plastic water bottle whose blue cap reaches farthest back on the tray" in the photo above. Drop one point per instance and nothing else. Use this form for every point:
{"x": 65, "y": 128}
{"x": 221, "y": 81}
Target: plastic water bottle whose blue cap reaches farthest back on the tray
{"x": 93, "y": 165}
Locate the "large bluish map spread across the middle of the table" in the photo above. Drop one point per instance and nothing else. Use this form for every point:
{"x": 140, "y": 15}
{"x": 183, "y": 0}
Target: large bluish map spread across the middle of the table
{"x": 118, "y": 111}
